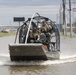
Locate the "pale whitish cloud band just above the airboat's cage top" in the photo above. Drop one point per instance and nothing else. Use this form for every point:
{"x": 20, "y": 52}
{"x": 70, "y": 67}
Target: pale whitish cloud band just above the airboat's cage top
{"x": 27, "y": 10}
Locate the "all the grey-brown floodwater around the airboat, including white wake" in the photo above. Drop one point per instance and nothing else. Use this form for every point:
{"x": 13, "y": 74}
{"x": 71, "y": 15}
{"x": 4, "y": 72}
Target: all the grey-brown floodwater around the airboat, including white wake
{"x": 65, "y": 66}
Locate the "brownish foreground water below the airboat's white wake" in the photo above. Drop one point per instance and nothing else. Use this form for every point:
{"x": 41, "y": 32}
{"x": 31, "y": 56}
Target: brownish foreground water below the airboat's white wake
{"x": 59, "y": 69}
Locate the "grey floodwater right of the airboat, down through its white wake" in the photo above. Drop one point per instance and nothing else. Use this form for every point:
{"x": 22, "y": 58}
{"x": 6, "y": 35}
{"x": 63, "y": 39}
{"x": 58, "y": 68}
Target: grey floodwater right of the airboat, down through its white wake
{"x": 68, "y": 47}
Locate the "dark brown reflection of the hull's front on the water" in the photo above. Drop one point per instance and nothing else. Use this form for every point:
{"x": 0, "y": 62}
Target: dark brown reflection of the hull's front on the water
{"x": 26, "y": 70}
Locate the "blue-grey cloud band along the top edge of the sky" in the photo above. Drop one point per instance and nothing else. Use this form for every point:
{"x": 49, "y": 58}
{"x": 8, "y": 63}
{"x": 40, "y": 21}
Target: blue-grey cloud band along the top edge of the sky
{"x": 28, "y": 2}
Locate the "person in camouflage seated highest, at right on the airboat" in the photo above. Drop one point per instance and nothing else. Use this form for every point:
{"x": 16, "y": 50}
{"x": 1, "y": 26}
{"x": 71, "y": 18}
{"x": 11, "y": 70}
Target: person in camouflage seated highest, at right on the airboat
{"x": 46, "y": 29}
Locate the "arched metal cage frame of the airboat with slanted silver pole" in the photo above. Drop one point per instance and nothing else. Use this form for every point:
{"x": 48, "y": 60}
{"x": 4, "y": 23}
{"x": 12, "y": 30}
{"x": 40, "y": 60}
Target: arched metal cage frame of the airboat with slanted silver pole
{"x": 57, "y": 35}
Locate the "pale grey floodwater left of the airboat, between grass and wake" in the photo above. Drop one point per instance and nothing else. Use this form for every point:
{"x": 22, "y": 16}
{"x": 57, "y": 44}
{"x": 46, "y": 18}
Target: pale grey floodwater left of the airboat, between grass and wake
{"x": 4, "y": 42}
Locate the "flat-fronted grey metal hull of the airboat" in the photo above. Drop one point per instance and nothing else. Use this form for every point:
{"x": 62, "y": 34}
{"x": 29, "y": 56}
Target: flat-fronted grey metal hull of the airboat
{"x": 31, "y": 52}
